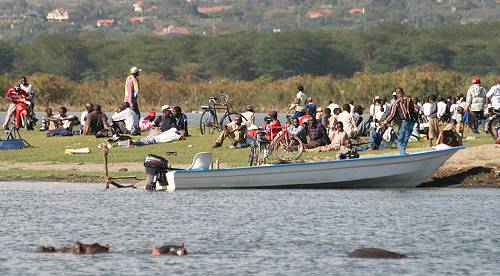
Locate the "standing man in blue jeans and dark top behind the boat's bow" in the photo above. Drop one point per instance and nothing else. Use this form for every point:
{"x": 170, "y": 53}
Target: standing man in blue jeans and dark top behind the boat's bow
{"x": 406, "y": 111}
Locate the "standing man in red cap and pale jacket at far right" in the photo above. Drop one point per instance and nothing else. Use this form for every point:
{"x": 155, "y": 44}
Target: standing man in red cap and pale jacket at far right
{"x": 476, "y": 100}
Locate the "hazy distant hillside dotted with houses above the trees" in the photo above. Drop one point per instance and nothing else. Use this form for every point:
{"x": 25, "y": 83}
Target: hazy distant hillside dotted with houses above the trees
{"x": 22, "y": 20}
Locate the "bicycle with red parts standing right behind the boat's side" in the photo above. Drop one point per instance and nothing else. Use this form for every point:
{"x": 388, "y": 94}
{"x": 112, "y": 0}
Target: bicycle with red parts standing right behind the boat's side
{"x": 287, "y": 147}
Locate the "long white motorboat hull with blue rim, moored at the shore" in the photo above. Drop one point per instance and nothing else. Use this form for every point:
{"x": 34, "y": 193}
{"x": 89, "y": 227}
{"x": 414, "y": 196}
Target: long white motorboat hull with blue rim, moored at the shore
{"x": 389, "y": 171}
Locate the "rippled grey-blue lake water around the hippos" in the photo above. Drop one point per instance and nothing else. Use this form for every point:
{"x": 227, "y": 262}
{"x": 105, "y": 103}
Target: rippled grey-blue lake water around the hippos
{"x": 263, "y": 232}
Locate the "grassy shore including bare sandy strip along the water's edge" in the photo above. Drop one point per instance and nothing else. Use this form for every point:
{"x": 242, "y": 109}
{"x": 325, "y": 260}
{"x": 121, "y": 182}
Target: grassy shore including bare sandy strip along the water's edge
{"x": 45, "y": 161}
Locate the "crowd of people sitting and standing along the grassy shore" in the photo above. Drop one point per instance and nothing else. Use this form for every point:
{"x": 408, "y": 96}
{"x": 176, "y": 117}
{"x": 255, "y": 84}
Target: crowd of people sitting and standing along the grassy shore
{"x": 329, "y": 128}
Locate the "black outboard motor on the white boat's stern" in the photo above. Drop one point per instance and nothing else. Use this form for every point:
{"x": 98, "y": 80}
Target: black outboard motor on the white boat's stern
{"x": 156, "y": 169}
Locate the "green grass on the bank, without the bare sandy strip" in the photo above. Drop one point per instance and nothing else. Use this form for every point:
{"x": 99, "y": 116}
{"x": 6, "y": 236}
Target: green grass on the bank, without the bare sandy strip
{"x": 51, "y": 150}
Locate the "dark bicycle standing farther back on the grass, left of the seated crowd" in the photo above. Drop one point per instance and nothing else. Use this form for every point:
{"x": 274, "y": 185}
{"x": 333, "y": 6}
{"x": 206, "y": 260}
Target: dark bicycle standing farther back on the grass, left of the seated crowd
{"x": 209, "y": 121}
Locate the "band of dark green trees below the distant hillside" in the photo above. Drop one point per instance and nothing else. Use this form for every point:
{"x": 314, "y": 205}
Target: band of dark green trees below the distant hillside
{"x": 471, "y": 49}
